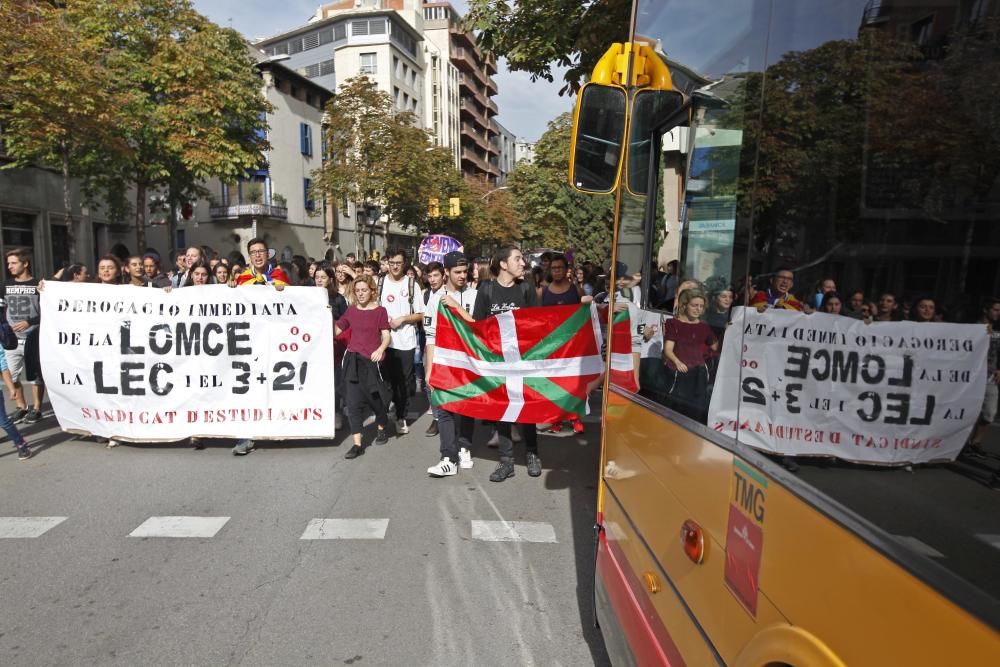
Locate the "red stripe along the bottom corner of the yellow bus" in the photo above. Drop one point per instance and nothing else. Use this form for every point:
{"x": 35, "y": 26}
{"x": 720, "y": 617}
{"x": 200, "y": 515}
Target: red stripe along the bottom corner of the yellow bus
{"x": 648, "y": 638}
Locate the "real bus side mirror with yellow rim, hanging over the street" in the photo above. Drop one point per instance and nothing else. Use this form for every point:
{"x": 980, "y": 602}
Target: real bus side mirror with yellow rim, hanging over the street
{"x": 599, "y": 138}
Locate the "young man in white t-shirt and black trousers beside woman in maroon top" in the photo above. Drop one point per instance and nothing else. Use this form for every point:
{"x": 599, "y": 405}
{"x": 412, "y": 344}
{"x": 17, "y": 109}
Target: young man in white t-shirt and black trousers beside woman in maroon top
{"x": 402, "y": 297}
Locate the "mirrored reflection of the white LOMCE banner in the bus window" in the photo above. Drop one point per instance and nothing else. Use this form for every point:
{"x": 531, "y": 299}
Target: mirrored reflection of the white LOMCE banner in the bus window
{"x": 889, "y": 392}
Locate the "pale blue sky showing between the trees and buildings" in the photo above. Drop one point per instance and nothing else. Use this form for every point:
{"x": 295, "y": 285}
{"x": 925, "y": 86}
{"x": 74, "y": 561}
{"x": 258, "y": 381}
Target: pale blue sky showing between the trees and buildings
{"x": 525, "y": 107}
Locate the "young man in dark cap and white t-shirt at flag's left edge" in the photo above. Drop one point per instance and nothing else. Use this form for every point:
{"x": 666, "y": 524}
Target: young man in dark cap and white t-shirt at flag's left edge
{"x": 454, "y": 430}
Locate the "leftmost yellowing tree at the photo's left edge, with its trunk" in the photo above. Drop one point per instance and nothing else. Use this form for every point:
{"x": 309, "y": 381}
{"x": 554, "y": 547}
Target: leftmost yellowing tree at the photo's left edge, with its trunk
{"x": 60, "y": 104}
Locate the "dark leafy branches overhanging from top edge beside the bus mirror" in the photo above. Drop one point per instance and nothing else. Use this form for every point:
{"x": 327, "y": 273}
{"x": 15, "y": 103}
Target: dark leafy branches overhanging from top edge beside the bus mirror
{"x": 535, "y": 34}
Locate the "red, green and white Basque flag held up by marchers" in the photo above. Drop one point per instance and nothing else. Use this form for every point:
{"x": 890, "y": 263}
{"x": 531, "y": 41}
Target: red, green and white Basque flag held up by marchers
{"x": 530, "y": 365}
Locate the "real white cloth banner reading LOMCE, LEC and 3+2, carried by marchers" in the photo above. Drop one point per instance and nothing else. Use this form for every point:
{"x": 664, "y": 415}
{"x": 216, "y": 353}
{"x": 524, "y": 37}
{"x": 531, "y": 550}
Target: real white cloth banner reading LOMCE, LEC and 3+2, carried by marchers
{"x": 146, "y": 365}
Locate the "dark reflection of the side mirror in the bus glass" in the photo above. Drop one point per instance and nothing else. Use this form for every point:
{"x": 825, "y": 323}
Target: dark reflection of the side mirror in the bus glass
{"x": 659, "y": 109}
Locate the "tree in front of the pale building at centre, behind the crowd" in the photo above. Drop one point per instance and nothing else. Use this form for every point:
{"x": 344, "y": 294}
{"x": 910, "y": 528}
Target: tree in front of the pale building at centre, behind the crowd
{"x": 379, "y": 157}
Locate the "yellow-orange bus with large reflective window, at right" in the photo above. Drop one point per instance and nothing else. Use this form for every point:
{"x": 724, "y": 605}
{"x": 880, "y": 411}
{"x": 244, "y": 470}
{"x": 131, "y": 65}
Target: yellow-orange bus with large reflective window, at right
{"x": 806, "y": 241}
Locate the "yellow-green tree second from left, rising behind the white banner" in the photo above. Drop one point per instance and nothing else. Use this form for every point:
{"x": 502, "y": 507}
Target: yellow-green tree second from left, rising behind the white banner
{"x": 196, "y": 109}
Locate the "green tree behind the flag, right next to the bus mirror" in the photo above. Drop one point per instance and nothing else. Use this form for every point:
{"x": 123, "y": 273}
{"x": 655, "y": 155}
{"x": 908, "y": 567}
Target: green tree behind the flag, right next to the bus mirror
{"x": 550, "y": 212}
